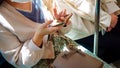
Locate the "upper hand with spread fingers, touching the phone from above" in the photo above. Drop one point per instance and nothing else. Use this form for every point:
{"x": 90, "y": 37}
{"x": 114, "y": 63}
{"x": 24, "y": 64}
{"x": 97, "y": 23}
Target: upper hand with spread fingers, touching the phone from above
{"x": 62, "y": 16}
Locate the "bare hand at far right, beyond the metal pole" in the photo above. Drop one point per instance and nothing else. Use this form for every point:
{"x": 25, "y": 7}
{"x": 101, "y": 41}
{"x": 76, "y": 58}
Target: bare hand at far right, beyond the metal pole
{"x": 114, "y": 19}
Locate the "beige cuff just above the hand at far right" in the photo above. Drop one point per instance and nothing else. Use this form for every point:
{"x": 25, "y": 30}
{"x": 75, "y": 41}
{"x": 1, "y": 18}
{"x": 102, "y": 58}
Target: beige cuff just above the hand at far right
{"x": 112, "y": 7}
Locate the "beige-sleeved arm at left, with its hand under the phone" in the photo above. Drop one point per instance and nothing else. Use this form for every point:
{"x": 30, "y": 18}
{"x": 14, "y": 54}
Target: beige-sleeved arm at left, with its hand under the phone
{"x": 16, "y": 37}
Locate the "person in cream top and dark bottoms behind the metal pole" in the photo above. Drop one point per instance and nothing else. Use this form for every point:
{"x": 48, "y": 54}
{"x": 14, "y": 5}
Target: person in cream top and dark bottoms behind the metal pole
{"x": 83, "y": 20}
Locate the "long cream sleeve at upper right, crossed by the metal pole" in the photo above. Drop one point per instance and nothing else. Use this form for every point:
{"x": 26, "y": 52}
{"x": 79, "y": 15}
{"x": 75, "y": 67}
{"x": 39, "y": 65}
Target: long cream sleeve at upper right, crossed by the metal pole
{"x": 86, "y": 10}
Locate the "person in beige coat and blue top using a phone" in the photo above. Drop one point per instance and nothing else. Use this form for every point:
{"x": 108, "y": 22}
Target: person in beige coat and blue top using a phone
{"x": 22, "y": 37}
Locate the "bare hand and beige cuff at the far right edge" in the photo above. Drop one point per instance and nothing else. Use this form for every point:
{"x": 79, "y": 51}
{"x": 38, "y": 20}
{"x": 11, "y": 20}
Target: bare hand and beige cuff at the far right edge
{"x": 113, "y": 10}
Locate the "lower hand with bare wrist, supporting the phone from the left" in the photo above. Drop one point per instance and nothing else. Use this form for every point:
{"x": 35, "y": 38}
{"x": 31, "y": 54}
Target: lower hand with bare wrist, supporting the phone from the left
{"x": 42, "y": 30}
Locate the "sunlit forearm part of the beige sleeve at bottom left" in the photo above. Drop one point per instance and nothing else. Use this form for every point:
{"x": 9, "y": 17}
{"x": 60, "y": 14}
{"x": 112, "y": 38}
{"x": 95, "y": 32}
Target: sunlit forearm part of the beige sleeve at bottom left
{"x": 24, "y": 56}
